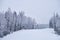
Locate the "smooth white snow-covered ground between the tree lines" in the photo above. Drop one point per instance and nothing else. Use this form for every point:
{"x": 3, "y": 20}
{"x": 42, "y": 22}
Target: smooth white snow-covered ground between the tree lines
{"x": 38, "y": 34}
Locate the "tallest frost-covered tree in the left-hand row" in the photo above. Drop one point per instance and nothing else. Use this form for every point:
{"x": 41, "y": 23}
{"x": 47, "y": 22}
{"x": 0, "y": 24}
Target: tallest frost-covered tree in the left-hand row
{"x": 9, "y": 19}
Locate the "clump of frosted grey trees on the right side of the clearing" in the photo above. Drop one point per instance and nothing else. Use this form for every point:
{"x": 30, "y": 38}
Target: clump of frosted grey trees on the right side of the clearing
{"x": 55, "y": 23}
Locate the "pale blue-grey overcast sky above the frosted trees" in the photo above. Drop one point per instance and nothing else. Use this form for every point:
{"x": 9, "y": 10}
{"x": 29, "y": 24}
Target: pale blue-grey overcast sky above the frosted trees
{"x": 41, "y": 10}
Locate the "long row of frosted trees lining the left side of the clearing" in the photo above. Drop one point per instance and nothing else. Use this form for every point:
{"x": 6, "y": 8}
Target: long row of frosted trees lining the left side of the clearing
{"x": 10, "y": 22}
